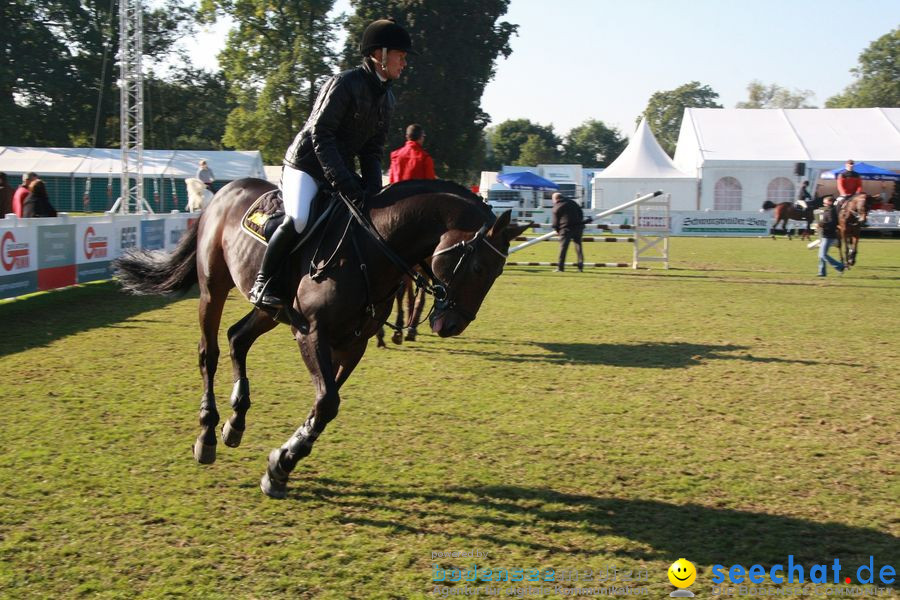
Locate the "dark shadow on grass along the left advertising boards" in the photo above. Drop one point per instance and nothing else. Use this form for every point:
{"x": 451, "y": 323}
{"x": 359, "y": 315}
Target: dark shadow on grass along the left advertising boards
{"x": 44, "y": 318}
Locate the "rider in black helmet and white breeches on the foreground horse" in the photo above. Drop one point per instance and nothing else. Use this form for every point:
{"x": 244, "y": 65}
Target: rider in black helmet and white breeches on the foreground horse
{"x": 349, "y": 119}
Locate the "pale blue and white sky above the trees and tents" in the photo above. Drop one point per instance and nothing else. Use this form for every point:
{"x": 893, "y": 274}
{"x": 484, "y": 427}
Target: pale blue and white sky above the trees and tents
{"x": 575, "y": 60}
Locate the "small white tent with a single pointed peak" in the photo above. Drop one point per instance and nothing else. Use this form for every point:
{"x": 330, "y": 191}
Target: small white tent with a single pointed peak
{"x": 642, "y": 168}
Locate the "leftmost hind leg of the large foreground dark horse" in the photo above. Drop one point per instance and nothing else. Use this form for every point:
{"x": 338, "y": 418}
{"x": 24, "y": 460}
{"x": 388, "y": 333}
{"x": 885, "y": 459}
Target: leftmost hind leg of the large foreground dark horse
{"x": 211, "y": 304}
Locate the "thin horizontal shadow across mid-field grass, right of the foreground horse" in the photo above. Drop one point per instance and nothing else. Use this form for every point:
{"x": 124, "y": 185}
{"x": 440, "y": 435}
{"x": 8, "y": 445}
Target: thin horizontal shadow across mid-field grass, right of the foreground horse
{"x": 651, "y": 355}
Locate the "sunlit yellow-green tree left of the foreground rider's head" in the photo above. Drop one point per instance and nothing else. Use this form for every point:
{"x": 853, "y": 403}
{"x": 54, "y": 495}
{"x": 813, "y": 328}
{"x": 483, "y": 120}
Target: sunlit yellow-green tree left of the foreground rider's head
{"x": 275, "y": 62}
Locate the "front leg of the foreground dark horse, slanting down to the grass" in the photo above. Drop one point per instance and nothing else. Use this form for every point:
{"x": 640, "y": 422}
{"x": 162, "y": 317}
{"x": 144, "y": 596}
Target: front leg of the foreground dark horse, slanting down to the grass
{"x": 321, "y": 362}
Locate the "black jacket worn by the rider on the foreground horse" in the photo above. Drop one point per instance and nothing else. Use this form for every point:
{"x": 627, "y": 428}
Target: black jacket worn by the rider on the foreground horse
{"x": 350, "y": 120}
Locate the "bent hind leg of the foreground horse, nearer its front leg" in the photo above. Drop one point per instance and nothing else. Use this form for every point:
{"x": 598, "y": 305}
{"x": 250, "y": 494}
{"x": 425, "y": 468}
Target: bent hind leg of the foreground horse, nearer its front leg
{"x": 241, "y": 336}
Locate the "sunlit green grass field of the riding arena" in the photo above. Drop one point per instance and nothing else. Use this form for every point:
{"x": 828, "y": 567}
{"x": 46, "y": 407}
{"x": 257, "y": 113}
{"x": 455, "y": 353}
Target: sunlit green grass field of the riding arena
{"x": 734, "y": 409}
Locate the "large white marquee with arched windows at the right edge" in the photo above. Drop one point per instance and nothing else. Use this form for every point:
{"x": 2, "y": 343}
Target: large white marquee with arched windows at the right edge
{"x": 746, "y": 156}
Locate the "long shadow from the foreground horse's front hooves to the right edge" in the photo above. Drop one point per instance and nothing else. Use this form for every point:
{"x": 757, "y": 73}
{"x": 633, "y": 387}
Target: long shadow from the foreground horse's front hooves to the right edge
{"x": 542, "y": 517}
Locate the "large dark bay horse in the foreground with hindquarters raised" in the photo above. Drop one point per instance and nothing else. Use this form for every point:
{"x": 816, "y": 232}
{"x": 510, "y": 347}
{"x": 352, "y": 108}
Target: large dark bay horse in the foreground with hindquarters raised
{"x": 438, "y": 222}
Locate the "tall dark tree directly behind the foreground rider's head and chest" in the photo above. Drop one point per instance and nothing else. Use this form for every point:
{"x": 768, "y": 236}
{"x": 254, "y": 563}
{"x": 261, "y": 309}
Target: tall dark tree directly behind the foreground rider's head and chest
{"x": 459, "y": 42}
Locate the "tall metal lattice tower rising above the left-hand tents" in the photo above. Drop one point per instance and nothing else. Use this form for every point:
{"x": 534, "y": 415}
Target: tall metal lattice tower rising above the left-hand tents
{"x": 131, "y": 112}
